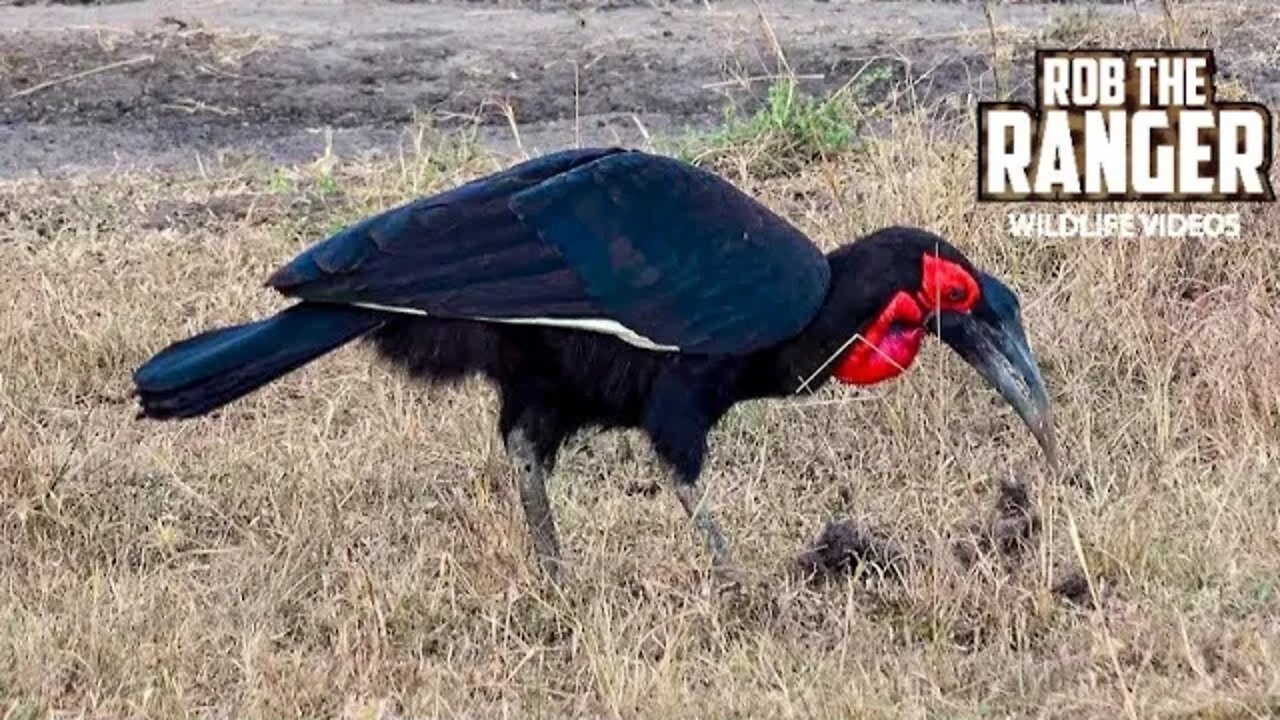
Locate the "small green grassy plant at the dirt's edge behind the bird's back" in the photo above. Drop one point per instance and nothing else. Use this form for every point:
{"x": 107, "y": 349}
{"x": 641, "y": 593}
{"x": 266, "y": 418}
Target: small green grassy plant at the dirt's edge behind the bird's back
{"x": 789, "y": 133}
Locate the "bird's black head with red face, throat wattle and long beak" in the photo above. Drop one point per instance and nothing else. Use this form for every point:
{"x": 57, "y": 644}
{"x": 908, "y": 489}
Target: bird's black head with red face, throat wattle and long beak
{"x": 900, "y": 285}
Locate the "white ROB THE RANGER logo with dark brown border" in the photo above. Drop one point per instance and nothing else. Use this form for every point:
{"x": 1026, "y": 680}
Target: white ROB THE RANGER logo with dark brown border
{"x": 1116, "y": 125}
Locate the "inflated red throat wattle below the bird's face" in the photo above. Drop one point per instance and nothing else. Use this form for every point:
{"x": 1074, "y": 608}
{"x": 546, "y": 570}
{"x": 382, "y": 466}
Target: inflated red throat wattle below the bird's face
{"x": 888, "y": 347}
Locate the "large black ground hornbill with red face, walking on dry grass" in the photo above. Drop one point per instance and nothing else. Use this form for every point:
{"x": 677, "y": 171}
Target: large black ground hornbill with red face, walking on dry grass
{"x": 612, "y": 289}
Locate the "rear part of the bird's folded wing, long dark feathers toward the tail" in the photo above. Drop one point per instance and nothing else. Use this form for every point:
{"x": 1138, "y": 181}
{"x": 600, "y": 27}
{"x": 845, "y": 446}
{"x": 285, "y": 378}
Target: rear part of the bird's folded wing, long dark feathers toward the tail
{"x": 460, "y": 254}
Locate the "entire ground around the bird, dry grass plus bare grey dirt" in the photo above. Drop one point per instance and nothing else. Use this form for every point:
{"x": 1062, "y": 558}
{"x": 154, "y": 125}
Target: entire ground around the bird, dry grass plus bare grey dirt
{"x": 349, "y": 544}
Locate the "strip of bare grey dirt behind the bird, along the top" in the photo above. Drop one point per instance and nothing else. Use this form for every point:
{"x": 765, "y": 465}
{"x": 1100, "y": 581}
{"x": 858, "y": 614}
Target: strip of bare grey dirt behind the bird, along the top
{"x": 188, "y": 80}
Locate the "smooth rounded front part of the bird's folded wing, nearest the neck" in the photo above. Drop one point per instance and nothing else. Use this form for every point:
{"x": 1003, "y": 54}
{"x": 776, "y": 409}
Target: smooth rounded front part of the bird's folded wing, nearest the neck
{"x": 678, "y": 254}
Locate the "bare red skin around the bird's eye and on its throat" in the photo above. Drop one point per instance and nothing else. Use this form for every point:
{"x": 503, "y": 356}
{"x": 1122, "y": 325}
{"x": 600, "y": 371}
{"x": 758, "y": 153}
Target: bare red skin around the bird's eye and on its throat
{"x": 890, "y": 344}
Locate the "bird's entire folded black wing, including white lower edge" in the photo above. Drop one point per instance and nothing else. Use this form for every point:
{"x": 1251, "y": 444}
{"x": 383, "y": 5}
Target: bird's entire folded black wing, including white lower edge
{"x": 656, "y": 252}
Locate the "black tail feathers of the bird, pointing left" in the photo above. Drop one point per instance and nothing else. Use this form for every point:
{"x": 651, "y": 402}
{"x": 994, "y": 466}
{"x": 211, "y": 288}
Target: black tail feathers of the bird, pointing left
{"x": 205, "y": 372}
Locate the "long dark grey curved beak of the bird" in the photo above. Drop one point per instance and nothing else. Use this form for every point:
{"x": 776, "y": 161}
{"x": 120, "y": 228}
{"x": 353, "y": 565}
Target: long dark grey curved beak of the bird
{"x": 991, "y": 339}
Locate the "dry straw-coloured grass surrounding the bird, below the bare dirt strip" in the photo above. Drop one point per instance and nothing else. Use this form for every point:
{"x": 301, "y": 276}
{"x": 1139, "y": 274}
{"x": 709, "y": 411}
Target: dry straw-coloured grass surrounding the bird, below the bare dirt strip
{"x": 346, "y": 544}
